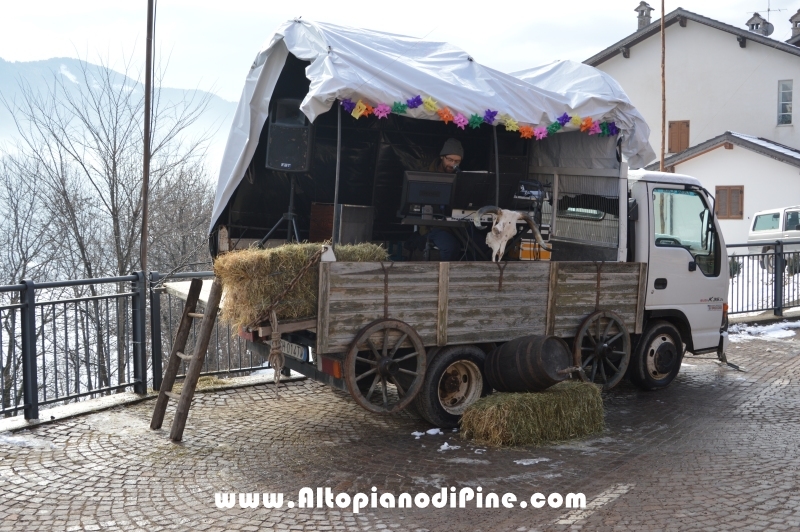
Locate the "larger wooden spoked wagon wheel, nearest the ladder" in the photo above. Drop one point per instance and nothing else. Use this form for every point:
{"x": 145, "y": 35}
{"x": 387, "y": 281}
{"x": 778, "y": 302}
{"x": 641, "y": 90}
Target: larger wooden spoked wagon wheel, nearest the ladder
{"x": 385, "y": 366}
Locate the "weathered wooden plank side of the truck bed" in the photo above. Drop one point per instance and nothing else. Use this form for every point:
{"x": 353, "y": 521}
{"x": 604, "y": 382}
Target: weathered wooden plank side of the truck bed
{"x": 473, "y": 302}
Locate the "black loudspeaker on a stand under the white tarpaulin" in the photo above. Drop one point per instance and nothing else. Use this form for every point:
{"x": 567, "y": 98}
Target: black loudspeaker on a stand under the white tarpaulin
{"x": 289, "y": 138}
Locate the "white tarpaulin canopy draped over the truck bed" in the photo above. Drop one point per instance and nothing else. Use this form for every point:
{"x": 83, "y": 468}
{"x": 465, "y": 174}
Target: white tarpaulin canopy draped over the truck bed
{"x": 349, "y": 63}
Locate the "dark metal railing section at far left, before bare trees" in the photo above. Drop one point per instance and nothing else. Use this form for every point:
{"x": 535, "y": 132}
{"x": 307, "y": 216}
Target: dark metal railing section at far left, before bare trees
{"x": 68, "y": 340}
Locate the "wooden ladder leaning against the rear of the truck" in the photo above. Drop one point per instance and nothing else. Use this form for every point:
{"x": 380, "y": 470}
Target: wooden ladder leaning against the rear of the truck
{"x": 195, "y": 359}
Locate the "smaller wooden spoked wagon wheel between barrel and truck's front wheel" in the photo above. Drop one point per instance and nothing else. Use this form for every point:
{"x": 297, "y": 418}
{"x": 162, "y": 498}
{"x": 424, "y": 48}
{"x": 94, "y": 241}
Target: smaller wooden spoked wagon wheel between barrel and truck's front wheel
{"x": 602, "y": 348}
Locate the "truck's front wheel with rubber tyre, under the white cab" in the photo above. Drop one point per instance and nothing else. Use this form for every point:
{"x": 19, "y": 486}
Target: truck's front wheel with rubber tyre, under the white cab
{"x": 658, "y": 356}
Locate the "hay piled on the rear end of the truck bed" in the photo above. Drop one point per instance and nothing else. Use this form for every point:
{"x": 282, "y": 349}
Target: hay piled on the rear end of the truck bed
{"x": 253, "y": 278}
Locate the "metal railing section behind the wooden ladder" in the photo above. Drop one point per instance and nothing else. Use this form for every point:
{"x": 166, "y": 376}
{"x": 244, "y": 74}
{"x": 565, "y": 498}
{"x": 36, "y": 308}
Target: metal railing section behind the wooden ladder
{"x": 227, "y": 353}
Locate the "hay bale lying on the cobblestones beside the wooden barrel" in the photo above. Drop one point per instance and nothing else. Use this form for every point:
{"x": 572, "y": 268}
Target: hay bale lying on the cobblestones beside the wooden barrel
{"x": 568, "y": 410}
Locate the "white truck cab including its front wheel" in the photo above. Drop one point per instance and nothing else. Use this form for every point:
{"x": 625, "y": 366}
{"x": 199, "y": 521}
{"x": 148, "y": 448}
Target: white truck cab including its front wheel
{"x": 677, "y": 234}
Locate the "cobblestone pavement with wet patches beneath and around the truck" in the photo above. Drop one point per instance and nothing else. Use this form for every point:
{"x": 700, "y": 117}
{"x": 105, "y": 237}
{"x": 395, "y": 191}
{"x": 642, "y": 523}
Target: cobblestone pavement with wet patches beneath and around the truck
{"x": 717, "y": 450}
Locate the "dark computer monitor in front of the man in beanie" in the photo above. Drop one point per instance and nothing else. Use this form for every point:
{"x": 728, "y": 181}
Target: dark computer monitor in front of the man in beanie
{"x": 426, "y": 194}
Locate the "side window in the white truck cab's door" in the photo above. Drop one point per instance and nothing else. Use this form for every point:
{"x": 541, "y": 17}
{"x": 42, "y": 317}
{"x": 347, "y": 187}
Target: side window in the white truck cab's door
{"x": 682, "y": 219}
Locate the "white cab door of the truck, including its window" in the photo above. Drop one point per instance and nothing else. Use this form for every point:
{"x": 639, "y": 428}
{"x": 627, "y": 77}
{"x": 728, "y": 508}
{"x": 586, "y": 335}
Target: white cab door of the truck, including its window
{"x": 684, "y": 271}
